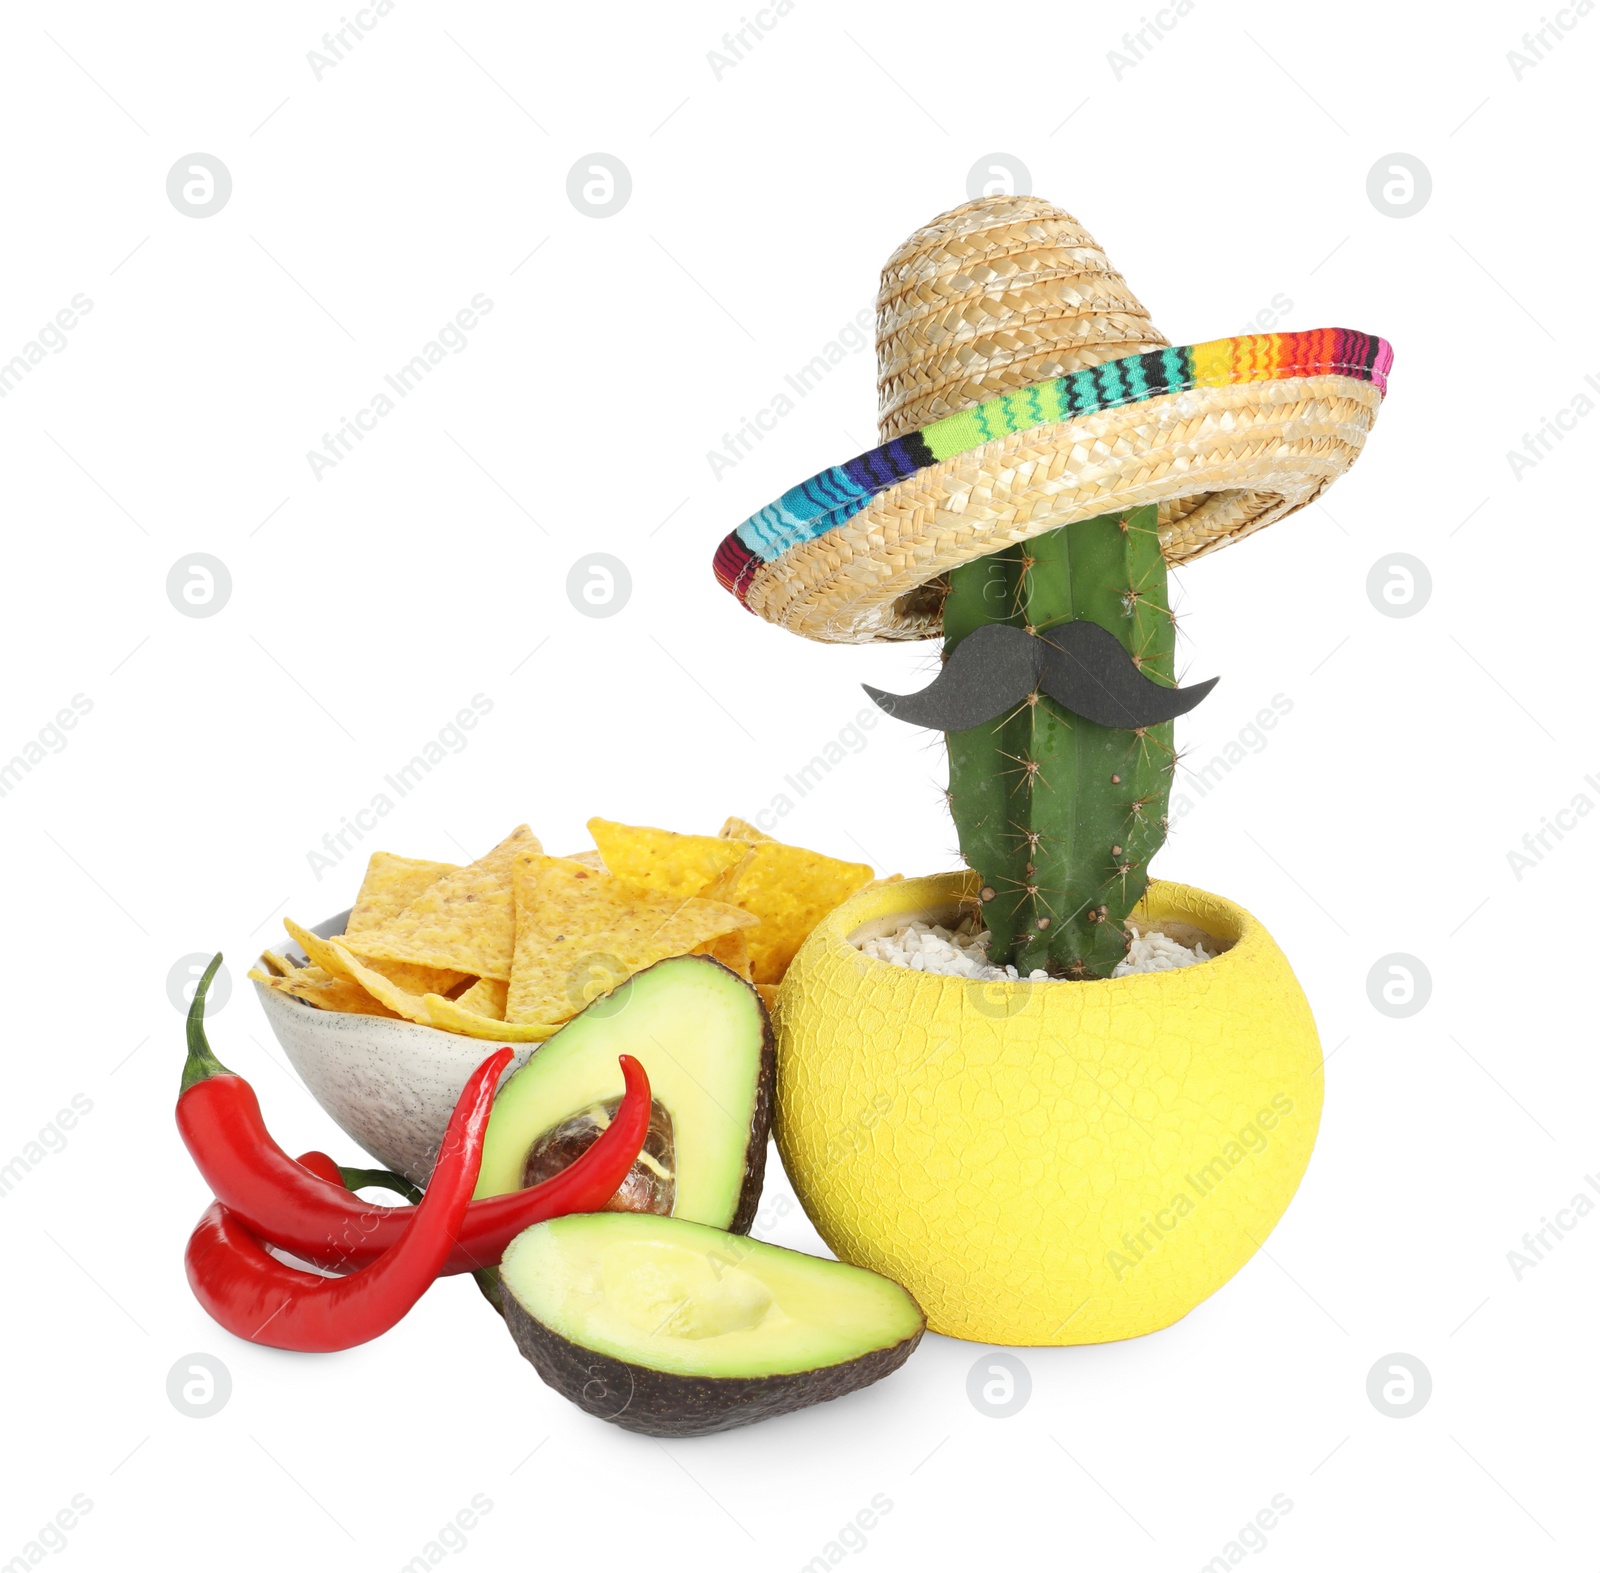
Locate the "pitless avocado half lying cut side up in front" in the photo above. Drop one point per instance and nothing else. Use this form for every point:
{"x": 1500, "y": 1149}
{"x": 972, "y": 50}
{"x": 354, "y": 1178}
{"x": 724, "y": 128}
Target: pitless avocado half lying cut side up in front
{"x": 678, "y": 1331}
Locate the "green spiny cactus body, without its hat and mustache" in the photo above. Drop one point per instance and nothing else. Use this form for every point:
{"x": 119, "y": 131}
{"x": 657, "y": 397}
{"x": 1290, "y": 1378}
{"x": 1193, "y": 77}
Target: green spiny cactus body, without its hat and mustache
{"x": 1060, "y": 817}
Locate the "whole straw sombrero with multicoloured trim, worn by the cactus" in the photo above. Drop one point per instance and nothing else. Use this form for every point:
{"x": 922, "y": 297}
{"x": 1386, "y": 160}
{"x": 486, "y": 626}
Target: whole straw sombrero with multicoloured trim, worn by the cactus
{"x": 1022, "y": 388}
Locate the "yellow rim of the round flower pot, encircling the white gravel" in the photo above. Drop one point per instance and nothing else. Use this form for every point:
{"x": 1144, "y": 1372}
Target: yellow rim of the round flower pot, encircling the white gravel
{"x": 934, "y": 892}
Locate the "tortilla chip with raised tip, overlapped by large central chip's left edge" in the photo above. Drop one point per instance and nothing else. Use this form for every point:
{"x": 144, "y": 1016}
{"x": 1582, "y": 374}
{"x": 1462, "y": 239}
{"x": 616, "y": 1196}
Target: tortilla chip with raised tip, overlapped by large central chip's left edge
{"x": 463, "y": 923}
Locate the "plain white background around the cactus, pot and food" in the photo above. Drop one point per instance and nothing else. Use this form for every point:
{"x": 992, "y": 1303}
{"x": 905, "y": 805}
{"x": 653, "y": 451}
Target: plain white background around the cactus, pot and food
{"x": 1225, "y": 169}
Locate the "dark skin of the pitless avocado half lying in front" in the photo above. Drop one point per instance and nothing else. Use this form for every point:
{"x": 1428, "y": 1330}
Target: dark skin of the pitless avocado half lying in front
{"x": 658, "y": 1404}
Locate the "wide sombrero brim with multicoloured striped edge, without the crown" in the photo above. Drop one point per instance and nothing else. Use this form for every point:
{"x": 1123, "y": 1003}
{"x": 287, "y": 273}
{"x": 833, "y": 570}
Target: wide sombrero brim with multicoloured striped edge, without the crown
{"x": 1225, "y": 438}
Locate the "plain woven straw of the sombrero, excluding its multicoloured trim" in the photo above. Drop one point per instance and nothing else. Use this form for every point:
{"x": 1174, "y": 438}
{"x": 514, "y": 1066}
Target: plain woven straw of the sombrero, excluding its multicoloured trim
{"x": 1002, "y": 294}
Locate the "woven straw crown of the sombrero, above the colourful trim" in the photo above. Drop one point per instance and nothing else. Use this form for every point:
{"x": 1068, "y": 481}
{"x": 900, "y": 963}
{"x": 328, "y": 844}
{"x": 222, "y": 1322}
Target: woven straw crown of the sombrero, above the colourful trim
{"x": 996, "y": 295}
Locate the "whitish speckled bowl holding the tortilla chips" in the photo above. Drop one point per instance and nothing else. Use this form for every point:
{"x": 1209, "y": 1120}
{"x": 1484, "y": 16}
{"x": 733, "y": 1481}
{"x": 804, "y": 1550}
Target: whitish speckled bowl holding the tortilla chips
{"x": 390, "y": 1086}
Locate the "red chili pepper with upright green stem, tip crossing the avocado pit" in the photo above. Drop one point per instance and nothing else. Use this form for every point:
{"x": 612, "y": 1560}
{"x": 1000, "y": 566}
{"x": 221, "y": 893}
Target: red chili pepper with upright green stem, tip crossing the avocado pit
{"x": 319, "y": 1220}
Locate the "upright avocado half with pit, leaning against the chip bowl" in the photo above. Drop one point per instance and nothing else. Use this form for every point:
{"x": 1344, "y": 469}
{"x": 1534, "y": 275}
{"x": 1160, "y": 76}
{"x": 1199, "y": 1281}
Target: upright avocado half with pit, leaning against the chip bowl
{"x": 706, "y": 1044}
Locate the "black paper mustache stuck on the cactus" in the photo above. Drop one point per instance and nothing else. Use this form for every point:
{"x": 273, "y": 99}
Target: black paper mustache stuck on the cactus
{"x": 1079, "y": 665}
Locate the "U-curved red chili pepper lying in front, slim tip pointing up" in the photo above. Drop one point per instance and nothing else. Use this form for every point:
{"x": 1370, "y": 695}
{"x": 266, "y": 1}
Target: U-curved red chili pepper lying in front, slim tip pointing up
{"x": 257, "y": 1297}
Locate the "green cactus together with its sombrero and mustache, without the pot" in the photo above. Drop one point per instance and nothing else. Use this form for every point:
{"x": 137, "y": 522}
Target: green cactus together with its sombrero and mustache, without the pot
{"x": 1046, "y": 455}
